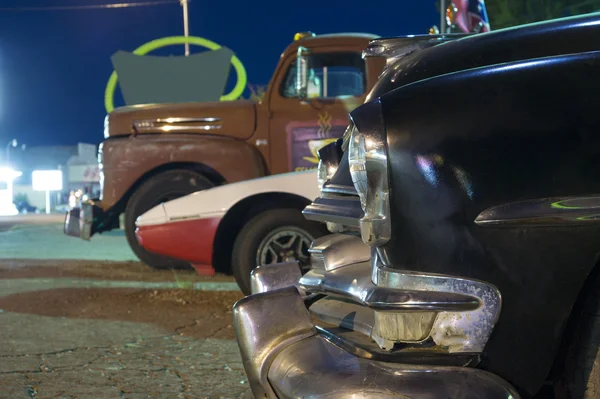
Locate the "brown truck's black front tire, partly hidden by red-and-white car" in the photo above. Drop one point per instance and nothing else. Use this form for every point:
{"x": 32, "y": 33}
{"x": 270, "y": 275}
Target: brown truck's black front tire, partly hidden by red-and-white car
{"x": 157, "y": 189}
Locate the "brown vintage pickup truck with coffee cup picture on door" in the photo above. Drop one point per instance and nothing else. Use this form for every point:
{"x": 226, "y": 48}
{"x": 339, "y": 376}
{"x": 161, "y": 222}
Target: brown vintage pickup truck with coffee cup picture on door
{"x": 157, "y": 152}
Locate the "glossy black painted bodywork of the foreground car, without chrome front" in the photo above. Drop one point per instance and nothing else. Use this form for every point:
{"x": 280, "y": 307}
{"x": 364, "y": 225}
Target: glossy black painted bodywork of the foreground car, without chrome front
{"x": 497, "y": 183}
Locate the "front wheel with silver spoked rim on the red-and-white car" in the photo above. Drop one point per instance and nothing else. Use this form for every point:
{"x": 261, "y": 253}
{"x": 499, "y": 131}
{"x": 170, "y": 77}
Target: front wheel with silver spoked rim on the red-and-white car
{"x": 274, "y": 236}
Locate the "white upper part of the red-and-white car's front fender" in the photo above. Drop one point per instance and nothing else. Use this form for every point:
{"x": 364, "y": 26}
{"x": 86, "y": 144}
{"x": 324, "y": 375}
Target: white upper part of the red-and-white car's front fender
{"x": 215, "y": 202}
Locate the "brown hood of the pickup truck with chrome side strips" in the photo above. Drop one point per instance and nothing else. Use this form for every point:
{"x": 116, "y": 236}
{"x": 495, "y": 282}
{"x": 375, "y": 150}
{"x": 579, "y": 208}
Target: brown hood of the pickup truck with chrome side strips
{"x": 235, "y": 119}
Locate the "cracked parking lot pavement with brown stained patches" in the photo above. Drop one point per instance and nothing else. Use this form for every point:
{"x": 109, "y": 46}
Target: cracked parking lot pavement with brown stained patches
{"x": 66, "y": 333}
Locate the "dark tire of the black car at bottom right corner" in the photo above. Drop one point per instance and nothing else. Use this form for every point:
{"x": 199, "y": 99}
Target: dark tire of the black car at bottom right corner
{"x": 581, "y": 371}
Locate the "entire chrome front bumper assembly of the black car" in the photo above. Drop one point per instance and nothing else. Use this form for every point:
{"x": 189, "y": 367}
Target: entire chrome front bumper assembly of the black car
{"x": 373, "y": 331}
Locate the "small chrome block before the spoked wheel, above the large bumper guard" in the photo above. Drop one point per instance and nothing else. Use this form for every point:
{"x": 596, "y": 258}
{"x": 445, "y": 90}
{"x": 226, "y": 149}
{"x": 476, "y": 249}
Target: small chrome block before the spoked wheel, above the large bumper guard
{"x": 267, "y": 278}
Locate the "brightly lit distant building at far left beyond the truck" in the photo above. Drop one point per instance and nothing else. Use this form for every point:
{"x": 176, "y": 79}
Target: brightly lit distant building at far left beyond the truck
{"x": 79, "y": 164}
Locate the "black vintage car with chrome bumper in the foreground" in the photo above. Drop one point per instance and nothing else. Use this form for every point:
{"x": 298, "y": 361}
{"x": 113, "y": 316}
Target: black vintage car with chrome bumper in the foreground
{"x": 472, "y": 177}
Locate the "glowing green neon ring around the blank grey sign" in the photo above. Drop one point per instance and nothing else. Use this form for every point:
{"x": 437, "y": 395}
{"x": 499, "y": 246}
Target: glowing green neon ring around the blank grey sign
{"x": 144, "y": 49}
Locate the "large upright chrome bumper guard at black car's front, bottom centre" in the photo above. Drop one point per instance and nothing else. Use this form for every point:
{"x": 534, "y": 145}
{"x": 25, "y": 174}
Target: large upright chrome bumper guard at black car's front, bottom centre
{"x": 264, "y": 325}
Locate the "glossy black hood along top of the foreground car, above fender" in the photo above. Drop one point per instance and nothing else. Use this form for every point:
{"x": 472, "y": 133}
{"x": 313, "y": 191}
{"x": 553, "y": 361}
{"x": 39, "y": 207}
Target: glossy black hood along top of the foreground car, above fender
{"x": 562, "y": 36}
